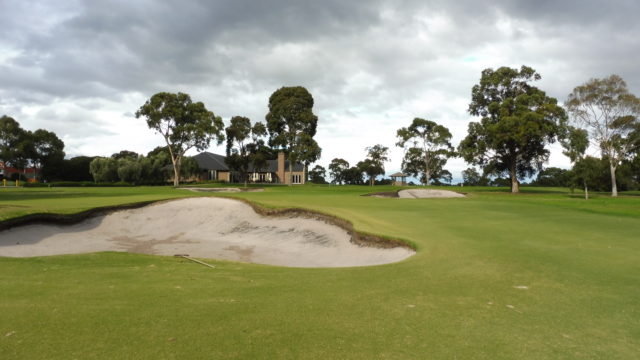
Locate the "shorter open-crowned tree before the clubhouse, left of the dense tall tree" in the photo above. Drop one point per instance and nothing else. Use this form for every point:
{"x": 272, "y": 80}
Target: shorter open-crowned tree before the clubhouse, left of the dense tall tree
{"x": 243, "y": 145}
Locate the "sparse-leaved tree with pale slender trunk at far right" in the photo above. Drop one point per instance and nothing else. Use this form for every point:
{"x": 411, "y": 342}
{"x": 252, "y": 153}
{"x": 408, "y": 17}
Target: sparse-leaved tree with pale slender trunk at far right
{"x": 610, "y": 113}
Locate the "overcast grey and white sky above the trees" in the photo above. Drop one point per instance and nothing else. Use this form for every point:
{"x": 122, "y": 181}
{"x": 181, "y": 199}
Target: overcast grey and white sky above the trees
{"x": 82, "y": 68}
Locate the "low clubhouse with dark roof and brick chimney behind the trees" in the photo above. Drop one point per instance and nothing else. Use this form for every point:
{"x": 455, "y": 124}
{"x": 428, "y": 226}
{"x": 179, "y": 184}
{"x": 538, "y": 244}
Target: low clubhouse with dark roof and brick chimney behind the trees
{"x": 213, "y": 167}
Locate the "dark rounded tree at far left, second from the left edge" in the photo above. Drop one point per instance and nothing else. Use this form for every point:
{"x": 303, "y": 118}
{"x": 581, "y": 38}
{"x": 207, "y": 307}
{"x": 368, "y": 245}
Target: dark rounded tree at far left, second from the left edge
{"x": 47, "y": 152}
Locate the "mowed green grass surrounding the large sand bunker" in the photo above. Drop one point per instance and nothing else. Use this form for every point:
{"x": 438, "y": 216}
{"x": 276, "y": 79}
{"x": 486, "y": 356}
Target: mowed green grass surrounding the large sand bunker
{"x": 540, "y": 275}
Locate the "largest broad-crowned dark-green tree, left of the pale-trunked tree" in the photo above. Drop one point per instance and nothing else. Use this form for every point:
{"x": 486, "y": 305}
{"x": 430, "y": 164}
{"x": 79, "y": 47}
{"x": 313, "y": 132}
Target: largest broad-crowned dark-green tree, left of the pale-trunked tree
{"x": 518, "y": 121}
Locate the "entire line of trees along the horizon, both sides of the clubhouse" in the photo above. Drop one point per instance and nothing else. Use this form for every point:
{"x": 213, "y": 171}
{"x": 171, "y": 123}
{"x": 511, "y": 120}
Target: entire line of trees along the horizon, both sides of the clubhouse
{"x": 518, "y": 122}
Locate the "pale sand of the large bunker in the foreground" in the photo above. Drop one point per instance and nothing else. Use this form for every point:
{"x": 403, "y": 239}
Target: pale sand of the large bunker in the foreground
{"x": 202, "y": 227}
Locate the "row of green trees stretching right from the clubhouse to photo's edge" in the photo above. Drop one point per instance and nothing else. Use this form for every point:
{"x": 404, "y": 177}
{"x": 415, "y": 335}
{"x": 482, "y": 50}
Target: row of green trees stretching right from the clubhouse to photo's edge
{"x": 510, "y": 142}
